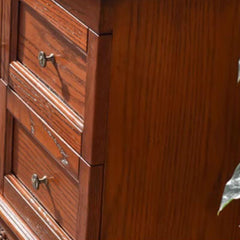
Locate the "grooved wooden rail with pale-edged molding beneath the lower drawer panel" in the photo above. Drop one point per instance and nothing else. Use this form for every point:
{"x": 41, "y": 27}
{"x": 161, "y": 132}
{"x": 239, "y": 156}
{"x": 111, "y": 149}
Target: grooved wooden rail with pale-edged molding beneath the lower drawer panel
{"x": 30, "y": 215}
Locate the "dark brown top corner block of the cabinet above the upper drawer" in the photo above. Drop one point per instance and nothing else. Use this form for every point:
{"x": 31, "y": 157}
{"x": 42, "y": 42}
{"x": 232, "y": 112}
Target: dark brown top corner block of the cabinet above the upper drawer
{"x": 96, "y": 14}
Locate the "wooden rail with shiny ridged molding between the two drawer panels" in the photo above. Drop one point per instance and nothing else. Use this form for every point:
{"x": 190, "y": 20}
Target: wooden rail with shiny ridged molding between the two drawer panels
{"x": 46, "y": 105}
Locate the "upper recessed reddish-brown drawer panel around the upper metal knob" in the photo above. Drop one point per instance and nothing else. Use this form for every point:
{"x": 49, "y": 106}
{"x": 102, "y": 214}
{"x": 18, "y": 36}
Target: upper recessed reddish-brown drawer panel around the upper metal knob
{"x": 66, "y": 75}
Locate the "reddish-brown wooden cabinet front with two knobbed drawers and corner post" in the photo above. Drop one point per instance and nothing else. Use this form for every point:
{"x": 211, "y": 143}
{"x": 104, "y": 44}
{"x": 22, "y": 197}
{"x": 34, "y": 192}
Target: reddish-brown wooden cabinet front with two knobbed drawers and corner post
{"x": 30, "y": 148}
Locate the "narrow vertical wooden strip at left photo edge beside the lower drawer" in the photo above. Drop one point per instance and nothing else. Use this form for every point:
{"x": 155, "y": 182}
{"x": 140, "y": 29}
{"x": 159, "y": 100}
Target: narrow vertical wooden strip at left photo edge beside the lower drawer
{"x": 3, "y": 104}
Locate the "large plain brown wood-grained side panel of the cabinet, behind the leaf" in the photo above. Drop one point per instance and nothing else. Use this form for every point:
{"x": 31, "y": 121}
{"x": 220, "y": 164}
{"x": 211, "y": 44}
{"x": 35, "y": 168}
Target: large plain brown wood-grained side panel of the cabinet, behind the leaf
{"x": 174, "y": 132}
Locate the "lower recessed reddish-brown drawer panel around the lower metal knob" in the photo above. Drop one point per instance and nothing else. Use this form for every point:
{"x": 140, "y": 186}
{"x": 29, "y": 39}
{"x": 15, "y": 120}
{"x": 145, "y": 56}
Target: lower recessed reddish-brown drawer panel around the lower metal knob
{"x": 60, "y": 195}
